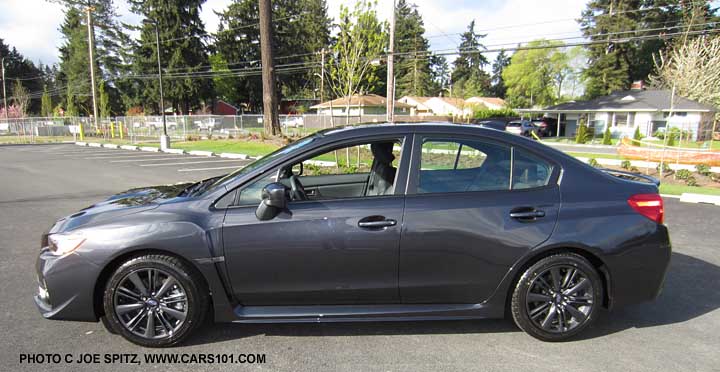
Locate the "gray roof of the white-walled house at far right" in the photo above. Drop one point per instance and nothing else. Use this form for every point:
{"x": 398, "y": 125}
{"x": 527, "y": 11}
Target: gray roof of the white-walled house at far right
{"x": 633, "y": 100}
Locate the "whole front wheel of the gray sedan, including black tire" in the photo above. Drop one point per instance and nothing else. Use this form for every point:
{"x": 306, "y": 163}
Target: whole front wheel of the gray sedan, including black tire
{"x": 177, "y": 309}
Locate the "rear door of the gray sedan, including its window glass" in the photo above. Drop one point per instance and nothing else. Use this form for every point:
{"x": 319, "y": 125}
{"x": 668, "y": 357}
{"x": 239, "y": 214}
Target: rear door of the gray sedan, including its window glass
{"x": 468, "y": 218}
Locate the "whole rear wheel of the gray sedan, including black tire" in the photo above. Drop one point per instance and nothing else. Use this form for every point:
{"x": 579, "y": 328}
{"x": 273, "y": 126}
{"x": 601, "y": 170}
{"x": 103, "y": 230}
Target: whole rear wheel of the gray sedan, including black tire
{"x": 549, "y": 314}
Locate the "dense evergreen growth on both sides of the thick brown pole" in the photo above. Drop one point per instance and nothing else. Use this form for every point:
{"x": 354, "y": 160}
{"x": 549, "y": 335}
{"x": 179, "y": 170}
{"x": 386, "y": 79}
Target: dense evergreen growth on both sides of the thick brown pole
{"x": 301, "y": 31}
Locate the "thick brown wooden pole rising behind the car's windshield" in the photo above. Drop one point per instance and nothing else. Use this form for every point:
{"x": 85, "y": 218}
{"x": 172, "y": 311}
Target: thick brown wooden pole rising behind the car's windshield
{"x": 270, "y": 110}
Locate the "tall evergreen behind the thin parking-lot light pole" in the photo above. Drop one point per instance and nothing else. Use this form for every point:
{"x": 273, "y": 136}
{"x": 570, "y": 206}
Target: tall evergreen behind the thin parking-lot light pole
{"x": 183, "y": 55}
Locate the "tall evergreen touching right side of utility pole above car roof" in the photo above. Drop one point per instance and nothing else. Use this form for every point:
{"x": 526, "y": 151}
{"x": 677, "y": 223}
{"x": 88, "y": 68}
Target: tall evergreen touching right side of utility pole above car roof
{"x": 413, "y": 72}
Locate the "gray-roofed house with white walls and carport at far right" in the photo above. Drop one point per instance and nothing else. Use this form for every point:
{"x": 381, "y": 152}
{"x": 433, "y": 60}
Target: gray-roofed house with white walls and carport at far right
{"x": 624, "y": 111}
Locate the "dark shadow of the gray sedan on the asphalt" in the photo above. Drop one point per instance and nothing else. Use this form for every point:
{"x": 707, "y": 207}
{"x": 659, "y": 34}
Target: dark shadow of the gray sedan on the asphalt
{"x": 687, "y": 294}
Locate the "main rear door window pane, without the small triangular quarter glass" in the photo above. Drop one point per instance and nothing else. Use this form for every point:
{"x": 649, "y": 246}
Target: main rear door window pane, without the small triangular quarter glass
{"x": 460, "y": 166}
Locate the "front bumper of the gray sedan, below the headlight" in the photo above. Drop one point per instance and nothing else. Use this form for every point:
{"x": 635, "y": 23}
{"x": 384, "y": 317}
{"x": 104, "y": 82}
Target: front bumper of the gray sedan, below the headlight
{"x": 65, "y": 286}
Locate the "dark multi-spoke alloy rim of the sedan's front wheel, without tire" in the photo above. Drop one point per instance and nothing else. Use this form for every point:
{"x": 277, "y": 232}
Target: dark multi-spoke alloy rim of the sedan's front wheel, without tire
{"x": 150, "y": 303}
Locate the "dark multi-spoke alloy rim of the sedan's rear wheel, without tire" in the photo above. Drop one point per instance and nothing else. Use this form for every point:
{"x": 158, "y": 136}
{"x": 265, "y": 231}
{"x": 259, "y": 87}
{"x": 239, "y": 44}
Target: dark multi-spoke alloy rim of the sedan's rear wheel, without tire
{"x": 560, "y": 299}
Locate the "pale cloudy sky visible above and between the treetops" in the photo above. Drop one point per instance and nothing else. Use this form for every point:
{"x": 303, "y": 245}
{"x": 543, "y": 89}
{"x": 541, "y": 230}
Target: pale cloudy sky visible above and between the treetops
{"x": 32, "y": 26}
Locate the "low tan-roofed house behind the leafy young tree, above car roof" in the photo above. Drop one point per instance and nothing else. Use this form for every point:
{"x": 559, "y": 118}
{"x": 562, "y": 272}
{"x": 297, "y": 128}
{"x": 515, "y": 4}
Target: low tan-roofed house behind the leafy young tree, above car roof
{"x": 360, "y": 105}
